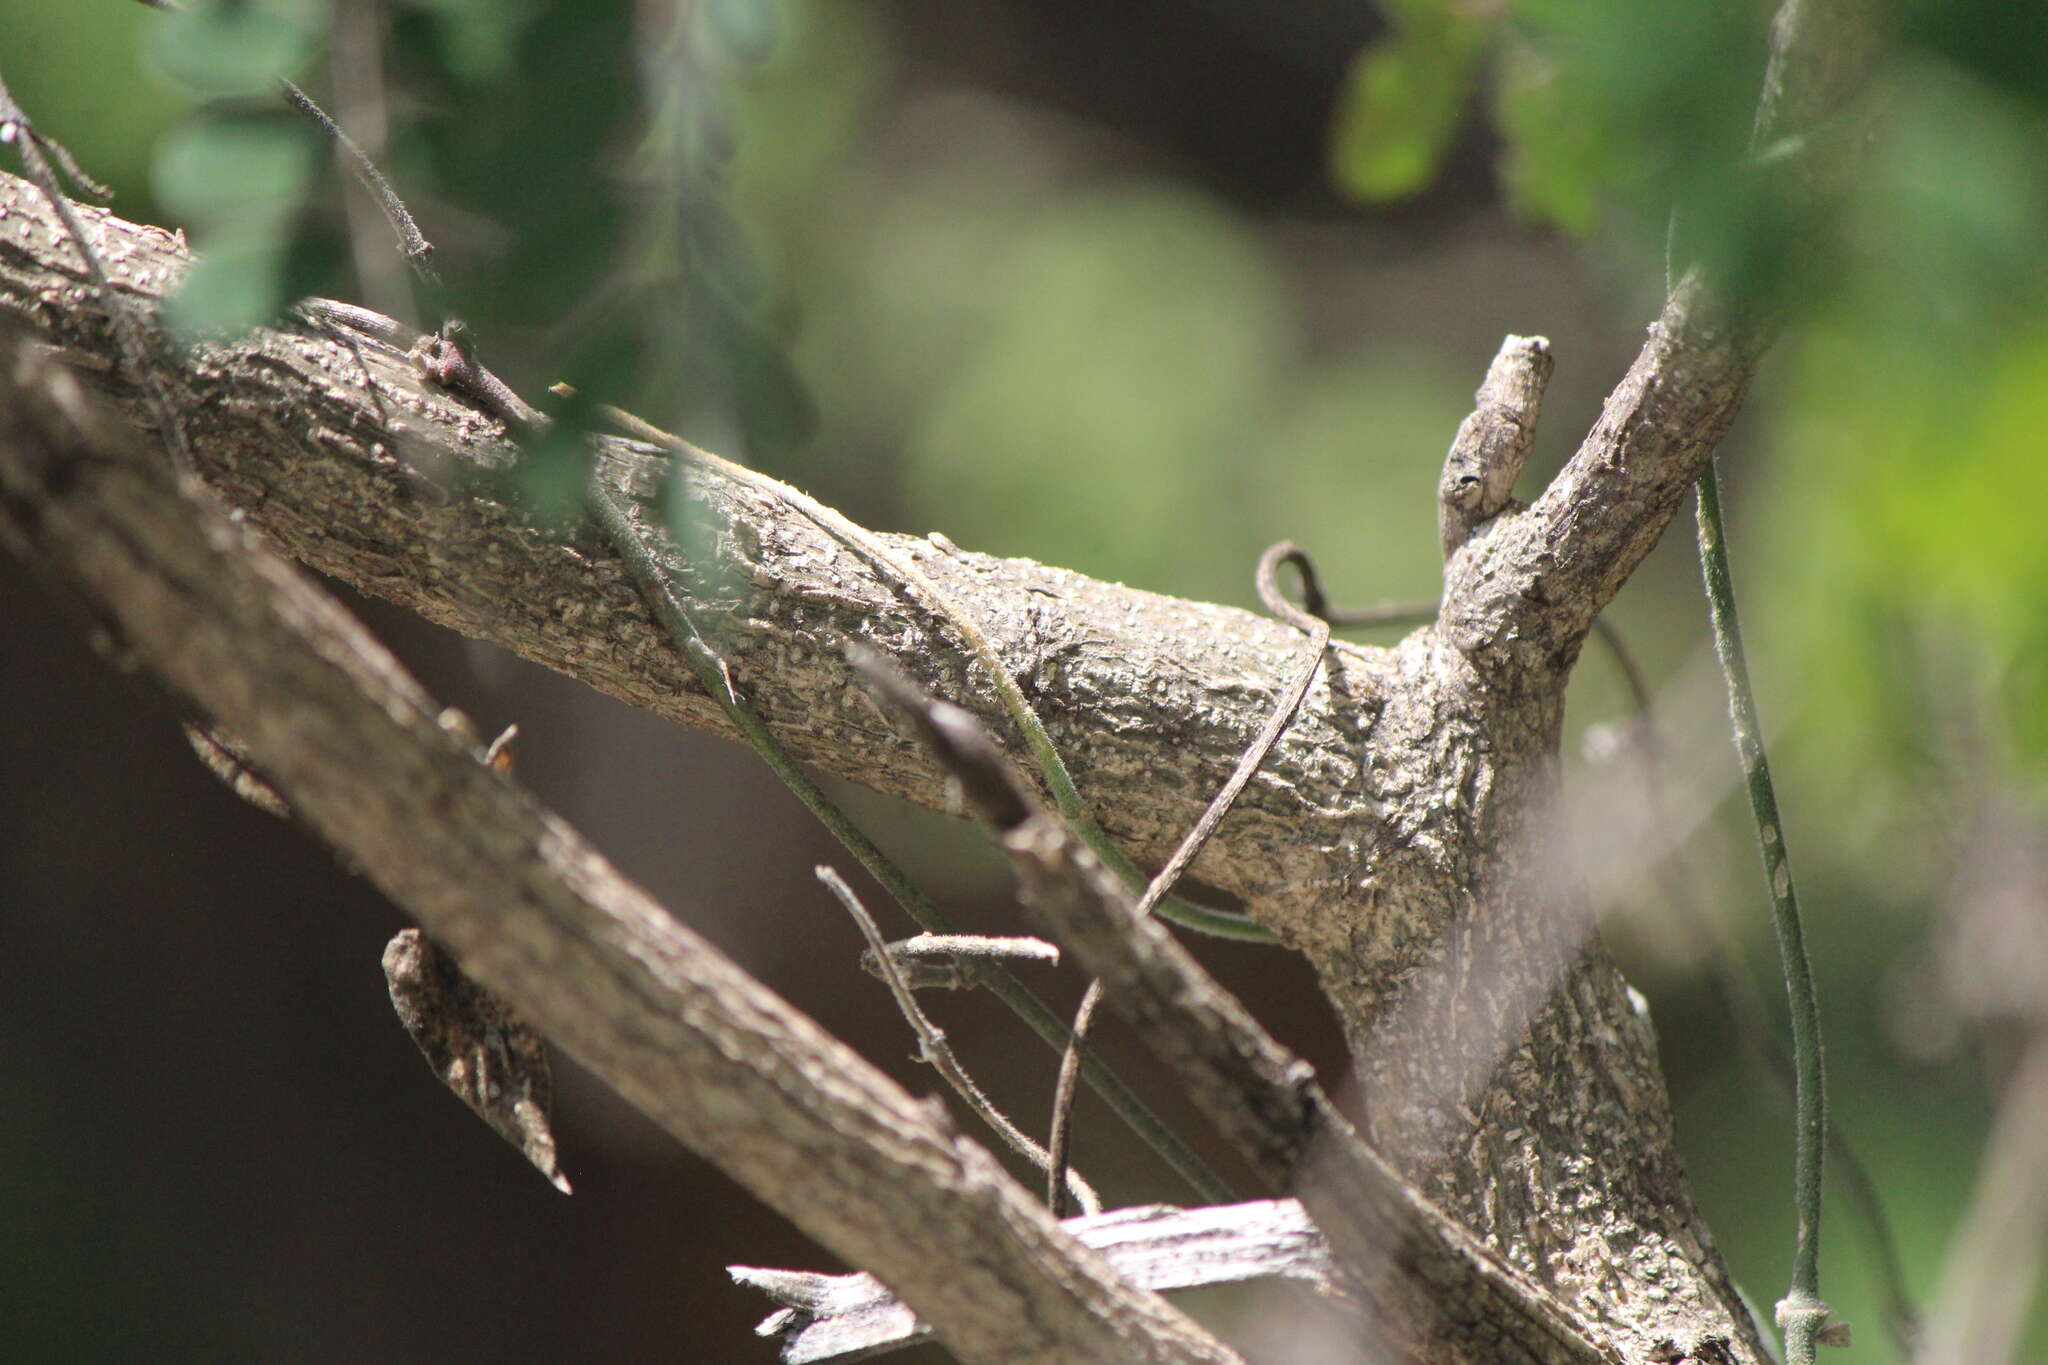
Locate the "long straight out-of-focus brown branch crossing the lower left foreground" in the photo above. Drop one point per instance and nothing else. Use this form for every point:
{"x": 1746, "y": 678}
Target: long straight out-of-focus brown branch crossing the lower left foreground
{"x": 544, "y": 920}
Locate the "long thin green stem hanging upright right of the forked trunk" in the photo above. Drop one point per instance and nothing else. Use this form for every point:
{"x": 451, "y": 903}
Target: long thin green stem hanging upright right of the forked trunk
{"x": 1801, "y": 1315}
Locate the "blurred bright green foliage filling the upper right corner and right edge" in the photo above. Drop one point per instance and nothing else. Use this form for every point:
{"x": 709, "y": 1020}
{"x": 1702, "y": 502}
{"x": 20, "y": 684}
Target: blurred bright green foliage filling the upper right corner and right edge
{"x": 1914, "y": 392}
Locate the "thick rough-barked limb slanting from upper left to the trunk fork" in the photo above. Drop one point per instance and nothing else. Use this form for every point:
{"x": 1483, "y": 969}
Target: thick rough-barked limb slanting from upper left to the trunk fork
{"x": 333, "y": 445}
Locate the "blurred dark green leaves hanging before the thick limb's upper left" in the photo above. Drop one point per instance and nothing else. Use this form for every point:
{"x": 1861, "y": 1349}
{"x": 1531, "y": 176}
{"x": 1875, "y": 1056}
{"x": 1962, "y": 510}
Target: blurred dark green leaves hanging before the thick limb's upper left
{"x": 527, "y": 157}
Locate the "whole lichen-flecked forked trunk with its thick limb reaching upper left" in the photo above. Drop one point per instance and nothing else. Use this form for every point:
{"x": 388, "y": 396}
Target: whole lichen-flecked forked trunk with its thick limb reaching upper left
{"x": 1398, "y": 836}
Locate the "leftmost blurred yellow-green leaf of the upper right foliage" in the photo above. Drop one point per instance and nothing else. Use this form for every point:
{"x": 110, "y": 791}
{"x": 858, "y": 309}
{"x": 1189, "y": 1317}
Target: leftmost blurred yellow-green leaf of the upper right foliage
{"x": 1400, "y": 109}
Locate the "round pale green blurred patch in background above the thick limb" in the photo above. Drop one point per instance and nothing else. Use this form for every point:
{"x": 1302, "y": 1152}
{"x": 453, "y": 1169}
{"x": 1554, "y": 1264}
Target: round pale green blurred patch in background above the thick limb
{"x": 1140, "y": 292}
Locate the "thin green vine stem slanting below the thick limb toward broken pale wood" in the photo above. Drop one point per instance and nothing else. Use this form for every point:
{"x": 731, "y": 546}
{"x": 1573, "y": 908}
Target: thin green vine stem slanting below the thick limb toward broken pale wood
{"x": 654, "y": 586}
